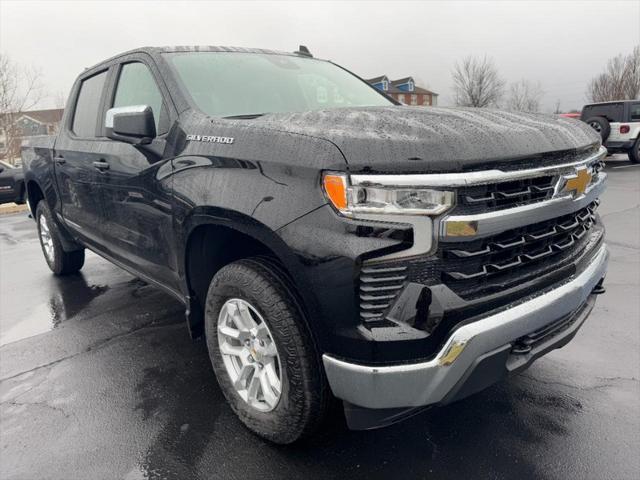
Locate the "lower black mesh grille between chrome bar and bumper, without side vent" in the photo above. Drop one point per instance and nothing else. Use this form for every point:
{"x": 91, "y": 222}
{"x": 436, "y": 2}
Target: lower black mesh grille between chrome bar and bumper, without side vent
{"x": 478, "y": 267}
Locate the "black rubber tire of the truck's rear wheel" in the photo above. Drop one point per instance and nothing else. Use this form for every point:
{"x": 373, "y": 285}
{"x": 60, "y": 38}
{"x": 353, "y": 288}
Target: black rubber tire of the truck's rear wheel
{"x": 59, "y": 261}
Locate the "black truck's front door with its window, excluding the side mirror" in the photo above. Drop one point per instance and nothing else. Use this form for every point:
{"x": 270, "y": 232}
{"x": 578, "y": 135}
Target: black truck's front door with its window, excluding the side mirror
{"x": 135, "y": 180}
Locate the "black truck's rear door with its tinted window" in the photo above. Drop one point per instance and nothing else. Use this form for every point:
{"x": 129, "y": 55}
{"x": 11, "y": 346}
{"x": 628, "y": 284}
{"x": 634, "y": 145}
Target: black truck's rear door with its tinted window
{"x": 77, "y": 150}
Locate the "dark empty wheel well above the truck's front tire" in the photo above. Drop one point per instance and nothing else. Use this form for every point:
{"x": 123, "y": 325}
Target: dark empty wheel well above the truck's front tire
{"x": 209, "y": 248}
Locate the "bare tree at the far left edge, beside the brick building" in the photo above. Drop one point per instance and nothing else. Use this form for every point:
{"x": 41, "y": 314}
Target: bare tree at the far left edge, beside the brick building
{"x": 20, "y": 90}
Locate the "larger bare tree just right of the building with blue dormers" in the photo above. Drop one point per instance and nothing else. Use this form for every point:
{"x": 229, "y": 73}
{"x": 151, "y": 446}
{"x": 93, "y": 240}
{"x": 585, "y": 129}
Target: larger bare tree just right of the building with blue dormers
{"x": 476, "y": 83}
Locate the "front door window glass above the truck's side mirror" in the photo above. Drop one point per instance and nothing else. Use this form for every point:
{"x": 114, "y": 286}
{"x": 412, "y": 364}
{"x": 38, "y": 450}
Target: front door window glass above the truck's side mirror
{"x": 136, "y": 86}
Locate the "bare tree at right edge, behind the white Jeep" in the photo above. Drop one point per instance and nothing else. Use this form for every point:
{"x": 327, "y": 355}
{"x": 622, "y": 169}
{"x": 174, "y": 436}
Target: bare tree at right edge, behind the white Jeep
{"x": 619, "y": 81}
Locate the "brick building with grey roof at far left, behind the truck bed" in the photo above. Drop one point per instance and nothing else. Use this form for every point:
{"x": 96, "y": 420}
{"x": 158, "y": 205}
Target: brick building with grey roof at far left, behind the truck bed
{"x": 14, "y": 127}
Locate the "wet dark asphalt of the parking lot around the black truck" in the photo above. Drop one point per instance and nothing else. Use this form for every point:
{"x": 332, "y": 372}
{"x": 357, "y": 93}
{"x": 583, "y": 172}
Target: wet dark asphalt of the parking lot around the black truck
{"x": 99, "y": 380}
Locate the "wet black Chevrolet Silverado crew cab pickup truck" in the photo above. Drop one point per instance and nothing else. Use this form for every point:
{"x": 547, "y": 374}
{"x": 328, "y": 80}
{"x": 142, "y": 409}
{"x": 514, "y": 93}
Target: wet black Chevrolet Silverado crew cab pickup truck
{"x": 327, "y": 241}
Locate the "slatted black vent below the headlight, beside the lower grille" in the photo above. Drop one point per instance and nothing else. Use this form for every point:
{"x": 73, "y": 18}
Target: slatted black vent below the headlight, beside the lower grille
{"x": 379, "y": 286}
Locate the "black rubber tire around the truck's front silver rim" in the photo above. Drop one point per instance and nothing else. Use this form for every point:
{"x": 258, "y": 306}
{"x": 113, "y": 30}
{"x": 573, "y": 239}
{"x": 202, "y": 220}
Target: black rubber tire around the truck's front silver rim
{"x": 305, "y": 397}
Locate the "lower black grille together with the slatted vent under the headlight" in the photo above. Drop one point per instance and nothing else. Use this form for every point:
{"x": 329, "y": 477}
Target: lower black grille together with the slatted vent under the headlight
{"x": 486, "y": 267}
